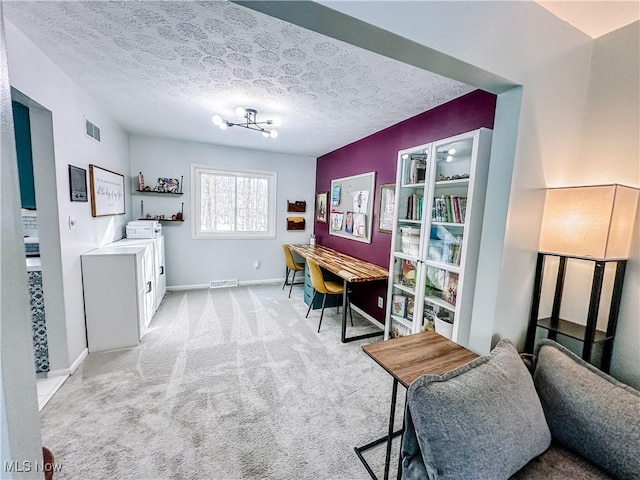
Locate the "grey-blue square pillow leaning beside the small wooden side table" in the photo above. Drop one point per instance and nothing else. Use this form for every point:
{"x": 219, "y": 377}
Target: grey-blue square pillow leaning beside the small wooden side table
{"x": 482, "y": 420}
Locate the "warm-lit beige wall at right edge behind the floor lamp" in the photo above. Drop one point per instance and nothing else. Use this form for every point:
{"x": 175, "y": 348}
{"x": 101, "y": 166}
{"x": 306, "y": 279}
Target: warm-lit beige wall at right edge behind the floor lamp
{"x": 610, "y": 153}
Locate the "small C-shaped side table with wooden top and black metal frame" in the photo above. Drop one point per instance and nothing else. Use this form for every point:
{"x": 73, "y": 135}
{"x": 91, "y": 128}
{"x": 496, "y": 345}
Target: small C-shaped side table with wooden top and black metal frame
{"x": 406, "y": 359}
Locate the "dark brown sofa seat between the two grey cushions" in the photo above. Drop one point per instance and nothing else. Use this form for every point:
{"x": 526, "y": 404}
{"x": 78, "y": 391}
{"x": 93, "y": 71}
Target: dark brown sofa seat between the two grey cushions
{"x": 558, "y": 463}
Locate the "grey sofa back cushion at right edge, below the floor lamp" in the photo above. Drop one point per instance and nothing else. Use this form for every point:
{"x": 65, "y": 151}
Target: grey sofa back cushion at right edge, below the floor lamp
{"x": 588, "y": 411}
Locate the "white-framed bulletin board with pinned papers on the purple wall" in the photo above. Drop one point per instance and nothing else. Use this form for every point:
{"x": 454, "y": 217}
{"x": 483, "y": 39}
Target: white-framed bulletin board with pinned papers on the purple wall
{"x": 351, "y": 213}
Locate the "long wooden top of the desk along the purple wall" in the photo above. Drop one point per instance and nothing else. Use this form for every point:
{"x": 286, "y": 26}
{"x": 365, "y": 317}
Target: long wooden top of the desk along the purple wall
{"x": 346, "y": 267}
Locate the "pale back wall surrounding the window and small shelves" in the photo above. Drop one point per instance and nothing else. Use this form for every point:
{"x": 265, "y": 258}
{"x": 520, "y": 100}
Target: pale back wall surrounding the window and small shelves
{"x": 196, "y": 262}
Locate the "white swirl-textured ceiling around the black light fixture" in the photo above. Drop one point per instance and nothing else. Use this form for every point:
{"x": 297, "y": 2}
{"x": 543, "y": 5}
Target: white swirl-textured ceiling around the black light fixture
{"x": 164, "y": 68}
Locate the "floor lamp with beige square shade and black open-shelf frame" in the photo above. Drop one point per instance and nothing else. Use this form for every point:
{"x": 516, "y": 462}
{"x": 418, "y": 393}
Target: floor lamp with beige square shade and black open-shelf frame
{"x": 583, "y": 226}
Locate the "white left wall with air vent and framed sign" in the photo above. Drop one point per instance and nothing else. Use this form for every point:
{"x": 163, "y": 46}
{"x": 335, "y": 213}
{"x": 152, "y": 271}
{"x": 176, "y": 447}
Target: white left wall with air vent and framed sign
{"x": 39, "y": 79}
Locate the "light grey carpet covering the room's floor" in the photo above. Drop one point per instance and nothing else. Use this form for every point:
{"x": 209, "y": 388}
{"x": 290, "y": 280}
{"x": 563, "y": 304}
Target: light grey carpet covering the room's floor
{"x": 227, "y": 384}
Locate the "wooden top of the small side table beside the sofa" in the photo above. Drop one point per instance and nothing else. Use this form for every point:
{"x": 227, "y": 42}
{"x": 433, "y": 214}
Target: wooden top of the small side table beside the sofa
{"x": 409, "y": 357}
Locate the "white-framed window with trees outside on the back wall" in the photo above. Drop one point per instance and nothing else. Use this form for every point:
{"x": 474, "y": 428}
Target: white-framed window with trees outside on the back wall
{"x": 232, "y": 203}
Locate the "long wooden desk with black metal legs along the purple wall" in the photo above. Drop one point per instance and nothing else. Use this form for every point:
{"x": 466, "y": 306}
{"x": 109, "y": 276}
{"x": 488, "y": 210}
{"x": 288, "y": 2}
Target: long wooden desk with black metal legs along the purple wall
{"x": 350, "y": 269}
